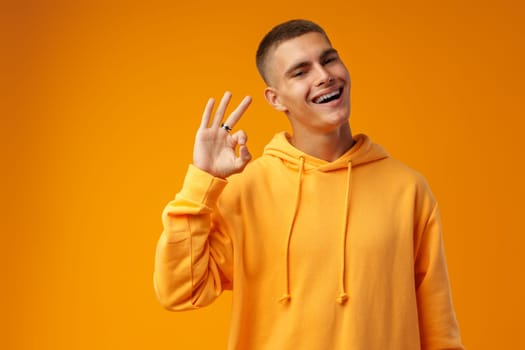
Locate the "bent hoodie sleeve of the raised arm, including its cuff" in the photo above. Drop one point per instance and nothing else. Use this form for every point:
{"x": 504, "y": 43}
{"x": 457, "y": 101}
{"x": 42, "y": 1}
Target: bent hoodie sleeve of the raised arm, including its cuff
{"x": 194, "y": 259}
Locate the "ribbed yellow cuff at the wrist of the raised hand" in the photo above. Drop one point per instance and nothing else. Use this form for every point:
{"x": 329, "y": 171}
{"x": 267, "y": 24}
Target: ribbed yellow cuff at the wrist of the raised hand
{"x": 201, "y": 187}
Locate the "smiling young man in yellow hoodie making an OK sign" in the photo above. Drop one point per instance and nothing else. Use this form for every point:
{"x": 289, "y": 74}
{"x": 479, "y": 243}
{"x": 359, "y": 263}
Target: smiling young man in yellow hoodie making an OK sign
{"x": 326, "y": 241}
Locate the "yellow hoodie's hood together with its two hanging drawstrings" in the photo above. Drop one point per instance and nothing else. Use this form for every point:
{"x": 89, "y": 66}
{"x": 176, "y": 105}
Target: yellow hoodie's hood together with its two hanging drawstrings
{"x": 363, "y": 151}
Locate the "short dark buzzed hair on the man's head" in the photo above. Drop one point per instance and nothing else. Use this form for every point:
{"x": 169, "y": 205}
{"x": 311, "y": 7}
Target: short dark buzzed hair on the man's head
{"x": 280, "y": 33}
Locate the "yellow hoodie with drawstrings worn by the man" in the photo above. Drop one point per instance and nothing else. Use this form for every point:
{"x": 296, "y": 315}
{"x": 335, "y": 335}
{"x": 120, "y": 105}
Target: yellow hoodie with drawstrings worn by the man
{"x": 319, "y": 255}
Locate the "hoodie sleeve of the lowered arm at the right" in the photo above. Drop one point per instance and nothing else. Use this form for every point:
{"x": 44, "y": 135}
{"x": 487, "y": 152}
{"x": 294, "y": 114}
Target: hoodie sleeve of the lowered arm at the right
{"x": 437, "y": 320}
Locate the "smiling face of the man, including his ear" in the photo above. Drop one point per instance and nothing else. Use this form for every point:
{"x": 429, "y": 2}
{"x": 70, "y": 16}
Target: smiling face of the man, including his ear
{"x": 310, "y": 83}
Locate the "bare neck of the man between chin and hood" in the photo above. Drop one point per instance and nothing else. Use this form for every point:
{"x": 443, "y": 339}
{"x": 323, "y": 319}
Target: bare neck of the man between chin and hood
{"x": 328, "y": 146}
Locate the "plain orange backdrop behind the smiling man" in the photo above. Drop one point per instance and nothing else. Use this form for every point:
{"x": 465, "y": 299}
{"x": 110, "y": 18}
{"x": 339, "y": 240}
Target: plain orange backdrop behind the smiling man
{"x": 99, "y": 108}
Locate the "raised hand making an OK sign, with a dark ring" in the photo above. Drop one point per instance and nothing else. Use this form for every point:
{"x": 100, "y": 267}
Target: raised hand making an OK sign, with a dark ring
{"x": 214, "y": 150}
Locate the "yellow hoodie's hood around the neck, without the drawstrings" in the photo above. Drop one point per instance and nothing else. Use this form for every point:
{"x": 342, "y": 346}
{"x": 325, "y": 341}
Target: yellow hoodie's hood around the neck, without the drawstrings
{"x": 362, "y": 152}
